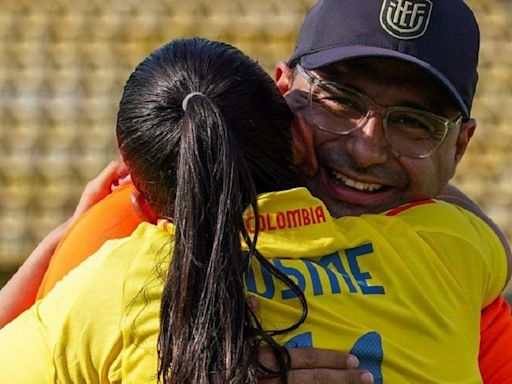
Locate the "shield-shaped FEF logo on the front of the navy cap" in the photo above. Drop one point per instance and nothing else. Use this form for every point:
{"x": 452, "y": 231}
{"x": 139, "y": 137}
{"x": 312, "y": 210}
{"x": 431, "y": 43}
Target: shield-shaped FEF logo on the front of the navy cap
{"x": 405, "y": 19}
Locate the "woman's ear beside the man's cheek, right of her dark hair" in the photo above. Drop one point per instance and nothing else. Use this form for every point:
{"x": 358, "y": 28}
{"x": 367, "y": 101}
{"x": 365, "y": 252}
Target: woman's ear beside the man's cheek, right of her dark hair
{"x": 304, "y": 155}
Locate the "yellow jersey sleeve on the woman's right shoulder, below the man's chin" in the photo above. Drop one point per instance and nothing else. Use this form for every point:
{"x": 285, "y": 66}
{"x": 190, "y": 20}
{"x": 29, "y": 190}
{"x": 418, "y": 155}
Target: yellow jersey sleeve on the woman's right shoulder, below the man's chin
{"x": 469, "y": 247}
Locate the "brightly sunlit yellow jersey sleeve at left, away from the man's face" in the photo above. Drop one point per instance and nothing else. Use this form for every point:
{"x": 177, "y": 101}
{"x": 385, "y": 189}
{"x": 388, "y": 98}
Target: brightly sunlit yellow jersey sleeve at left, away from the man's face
{"x": 52, "y": 341}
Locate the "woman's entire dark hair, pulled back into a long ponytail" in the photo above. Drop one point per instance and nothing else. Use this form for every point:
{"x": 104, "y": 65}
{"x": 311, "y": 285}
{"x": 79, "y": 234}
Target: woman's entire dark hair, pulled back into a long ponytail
{"x": 201, "y": 167}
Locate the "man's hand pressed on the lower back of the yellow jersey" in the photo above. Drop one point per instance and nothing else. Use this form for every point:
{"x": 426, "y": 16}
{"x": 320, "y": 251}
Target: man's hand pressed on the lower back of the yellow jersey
{"x": 318, "y": 366}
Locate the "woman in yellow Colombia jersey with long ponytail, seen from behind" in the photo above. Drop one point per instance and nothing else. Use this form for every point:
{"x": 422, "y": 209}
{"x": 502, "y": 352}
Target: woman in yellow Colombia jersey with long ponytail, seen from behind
{"x": 203, "y": 131}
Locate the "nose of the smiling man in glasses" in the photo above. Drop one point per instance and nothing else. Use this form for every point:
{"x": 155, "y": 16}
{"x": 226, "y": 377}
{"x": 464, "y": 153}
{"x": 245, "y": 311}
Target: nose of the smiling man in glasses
{"x": 368, "y": 145}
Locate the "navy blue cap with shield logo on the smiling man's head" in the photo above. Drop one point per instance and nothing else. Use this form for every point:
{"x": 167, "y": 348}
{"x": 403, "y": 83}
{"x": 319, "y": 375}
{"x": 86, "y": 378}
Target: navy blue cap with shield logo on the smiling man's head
{"x": 440, "y": 36}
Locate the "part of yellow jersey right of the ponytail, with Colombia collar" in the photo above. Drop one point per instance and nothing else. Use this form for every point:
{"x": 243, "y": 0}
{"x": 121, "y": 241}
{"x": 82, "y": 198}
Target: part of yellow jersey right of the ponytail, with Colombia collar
{"x": 403, "y": 290}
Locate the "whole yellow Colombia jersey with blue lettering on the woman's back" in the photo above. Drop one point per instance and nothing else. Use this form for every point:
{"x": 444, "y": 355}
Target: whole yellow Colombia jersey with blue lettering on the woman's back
{"x": 402, "y": 290}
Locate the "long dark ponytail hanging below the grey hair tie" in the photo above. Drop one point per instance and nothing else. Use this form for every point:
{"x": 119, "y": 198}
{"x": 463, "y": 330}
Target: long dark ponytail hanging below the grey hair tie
{"x": 203, "y": 304}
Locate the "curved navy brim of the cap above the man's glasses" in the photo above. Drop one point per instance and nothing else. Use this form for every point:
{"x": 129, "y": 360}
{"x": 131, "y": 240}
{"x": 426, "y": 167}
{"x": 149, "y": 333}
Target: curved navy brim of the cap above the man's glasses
{"x": 337, "y": 54}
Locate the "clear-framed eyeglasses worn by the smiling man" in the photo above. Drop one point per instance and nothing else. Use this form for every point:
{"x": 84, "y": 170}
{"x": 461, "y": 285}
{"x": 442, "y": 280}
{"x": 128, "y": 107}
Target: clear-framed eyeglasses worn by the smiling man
{"x": 338, "y": 109}
